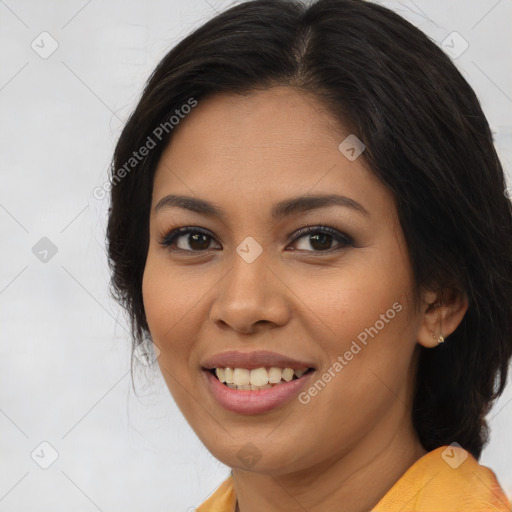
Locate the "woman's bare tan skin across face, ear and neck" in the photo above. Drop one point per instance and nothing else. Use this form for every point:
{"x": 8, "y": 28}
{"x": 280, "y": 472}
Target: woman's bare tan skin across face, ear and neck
{"x": 245, "y": 153}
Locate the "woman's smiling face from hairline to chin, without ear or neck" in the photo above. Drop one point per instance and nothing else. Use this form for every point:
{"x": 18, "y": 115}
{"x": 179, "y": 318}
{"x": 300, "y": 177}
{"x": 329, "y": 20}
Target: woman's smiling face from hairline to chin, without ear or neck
{"x": 338, "y": 299}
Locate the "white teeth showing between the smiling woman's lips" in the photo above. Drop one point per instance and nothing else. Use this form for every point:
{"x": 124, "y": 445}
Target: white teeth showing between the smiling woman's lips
{"x": 244, "y": 379}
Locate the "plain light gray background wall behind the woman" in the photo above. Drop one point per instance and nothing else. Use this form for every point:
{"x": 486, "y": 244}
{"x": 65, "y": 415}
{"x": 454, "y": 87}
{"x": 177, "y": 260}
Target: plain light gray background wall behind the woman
{"x": 64, "y": 365}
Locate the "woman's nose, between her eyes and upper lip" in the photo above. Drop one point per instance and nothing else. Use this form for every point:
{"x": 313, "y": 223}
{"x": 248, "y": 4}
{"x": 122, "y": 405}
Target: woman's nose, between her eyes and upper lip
{"x": 250, "y": 297}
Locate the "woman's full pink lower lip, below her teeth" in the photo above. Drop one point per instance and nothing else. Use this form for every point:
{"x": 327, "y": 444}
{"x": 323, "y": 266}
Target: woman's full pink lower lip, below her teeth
{"x": 254, "y": 402}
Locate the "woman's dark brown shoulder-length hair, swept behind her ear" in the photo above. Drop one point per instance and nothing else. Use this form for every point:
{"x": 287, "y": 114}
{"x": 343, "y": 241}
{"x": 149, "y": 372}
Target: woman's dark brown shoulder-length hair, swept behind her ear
{"x": 426, "y": 139}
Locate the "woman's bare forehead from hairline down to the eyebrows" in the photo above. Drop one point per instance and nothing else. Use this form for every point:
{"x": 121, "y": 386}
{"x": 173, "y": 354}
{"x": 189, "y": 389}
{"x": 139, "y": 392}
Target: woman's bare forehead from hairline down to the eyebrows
{"x": 258, "y": 147}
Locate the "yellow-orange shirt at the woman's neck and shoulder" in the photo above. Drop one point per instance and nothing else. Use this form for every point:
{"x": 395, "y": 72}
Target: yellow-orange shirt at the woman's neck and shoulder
{"x": 447, "y": 479}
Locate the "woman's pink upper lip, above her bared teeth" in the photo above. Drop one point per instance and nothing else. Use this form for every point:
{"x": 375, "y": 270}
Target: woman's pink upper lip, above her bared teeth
{"x": 252, "y": 360}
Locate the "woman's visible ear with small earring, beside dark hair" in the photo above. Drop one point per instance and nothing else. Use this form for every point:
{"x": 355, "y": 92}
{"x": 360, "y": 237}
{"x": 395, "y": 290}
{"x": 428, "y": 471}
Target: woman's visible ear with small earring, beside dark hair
{"x": 441, "y": 314}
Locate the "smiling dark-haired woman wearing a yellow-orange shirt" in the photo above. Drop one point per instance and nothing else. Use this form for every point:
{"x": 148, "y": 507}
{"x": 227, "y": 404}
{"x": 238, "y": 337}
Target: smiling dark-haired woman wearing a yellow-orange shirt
{"x": 308, "y": 220}
